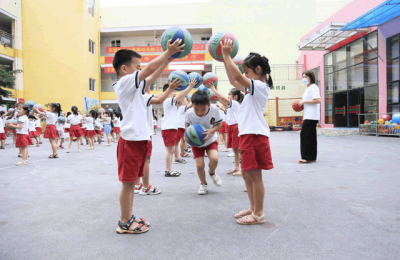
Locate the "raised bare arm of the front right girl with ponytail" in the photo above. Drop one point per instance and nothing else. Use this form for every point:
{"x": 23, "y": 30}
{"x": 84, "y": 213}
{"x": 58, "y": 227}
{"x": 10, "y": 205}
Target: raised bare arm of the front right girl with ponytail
{"x": 227, "y": 48}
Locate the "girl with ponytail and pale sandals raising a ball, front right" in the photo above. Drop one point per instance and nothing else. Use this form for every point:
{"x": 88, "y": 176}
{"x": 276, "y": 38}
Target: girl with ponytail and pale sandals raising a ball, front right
{"x": 253, "y": 129}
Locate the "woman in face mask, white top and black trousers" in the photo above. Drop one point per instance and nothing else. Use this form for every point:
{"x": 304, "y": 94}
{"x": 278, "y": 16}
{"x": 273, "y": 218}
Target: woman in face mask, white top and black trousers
{"x": 308, "y": 136}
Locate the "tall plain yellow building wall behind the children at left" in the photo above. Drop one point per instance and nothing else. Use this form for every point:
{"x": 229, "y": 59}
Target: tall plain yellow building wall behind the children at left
{"x": 57, "y": 61}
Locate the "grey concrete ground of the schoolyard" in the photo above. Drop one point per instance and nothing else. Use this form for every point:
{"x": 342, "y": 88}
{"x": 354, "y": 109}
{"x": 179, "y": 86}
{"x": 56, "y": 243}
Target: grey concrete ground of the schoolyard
{"x": 346, "y": 206}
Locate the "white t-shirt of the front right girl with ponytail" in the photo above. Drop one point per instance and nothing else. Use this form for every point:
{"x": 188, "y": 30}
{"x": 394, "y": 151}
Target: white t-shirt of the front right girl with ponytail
{"x": 251, "y": 113}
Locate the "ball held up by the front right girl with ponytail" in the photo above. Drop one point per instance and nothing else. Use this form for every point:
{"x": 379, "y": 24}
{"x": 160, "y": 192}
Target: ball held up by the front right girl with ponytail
{"x": 214, "y": 46}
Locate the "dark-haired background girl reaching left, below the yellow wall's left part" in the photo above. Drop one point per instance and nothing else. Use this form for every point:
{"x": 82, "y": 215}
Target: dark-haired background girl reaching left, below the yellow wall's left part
{"x": 51, "y": 131}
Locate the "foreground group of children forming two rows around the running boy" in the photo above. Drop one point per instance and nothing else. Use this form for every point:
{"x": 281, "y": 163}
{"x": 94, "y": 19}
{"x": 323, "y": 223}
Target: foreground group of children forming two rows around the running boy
{"x": 247, "y": 131}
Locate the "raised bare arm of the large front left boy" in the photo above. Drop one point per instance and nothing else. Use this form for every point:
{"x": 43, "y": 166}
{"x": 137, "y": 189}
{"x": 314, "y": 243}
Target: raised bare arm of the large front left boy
{"x": 160, "y": 60}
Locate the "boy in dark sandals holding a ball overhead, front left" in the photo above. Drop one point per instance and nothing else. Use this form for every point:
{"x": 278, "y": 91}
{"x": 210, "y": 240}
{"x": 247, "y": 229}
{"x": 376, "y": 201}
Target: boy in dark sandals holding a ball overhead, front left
{"x": 132, "y": 146}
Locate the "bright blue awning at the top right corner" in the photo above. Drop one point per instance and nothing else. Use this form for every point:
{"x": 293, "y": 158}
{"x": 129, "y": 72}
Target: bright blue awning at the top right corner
{"x": 381, "y": 14}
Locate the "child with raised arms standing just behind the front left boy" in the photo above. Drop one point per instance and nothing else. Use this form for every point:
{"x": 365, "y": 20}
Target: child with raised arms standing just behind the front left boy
{"x": 169, "y": 126}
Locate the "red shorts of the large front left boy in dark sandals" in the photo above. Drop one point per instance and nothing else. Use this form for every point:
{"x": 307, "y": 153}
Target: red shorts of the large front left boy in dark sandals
{"x": 131, "y": 157}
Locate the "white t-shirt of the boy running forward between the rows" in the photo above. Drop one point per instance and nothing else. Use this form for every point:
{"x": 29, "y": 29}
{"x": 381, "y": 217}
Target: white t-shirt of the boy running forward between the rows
{"x": 212, "y": 118}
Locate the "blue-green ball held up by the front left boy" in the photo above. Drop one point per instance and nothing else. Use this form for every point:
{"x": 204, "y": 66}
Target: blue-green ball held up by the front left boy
{"x": 175, "y": 33}
